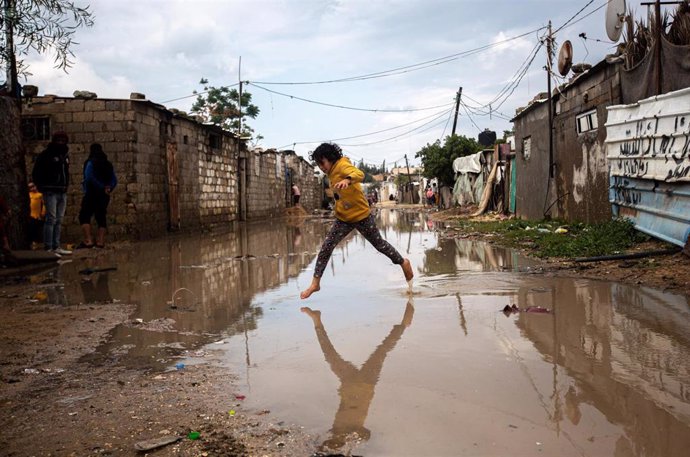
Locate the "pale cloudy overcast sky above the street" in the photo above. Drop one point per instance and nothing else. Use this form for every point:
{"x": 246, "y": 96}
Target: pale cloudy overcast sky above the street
{"x": 163, "y": 49}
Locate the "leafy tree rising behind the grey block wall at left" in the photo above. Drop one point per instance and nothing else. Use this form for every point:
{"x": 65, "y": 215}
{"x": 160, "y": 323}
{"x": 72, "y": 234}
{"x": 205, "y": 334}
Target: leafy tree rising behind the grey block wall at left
{"x": 219, "y": 106}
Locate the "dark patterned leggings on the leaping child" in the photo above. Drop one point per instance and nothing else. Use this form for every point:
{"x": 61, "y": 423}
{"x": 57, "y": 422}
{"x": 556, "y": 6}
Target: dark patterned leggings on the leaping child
{"x": 340, "y": 229}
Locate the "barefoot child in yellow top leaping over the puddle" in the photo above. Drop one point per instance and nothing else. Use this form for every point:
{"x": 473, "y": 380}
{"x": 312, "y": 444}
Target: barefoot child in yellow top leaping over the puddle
{"x": 351, "y": 211}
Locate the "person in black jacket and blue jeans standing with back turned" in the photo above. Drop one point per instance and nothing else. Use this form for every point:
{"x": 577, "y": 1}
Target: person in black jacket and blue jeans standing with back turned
{"x": 51, "y": 176}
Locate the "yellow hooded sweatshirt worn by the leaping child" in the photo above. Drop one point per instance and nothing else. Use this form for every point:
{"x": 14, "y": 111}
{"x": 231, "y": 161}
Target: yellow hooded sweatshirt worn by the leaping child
{"x": 351, "y": 206}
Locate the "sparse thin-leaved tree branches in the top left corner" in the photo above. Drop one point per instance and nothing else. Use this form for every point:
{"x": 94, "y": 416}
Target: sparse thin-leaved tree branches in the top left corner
{"x": 43, "y": 26}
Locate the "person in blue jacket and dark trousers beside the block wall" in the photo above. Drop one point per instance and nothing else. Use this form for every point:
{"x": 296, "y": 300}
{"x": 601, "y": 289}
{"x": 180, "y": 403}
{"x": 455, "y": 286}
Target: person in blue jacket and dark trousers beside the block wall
{"x": 99, "y": 182}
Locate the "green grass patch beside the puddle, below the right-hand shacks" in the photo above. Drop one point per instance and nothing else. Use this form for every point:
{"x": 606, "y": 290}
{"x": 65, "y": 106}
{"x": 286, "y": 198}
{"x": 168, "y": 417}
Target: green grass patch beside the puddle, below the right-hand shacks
{"x": 579, "y": 240}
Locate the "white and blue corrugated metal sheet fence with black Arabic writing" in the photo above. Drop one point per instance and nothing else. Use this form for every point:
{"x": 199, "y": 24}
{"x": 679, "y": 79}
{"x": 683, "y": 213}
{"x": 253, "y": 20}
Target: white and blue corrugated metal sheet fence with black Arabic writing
{"x": 648, "y": 148}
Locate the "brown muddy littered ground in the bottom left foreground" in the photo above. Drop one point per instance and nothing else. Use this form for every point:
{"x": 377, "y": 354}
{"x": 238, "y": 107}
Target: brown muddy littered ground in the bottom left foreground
{"x": 52, "y": 402}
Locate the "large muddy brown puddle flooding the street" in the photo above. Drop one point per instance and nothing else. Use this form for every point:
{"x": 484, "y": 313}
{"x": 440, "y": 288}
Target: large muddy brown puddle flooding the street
{"x": 373, "y": 370}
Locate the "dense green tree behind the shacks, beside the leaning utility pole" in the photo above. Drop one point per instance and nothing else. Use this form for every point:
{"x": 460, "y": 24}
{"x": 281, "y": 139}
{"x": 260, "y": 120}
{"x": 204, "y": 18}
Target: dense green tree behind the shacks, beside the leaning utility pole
{"x": 437, "y": 159}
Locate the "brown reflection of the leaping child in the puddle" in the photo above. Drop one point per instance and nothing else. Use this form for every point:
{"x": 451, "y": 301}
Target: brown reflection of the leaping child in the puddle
{"x": 356, "y": 385}
